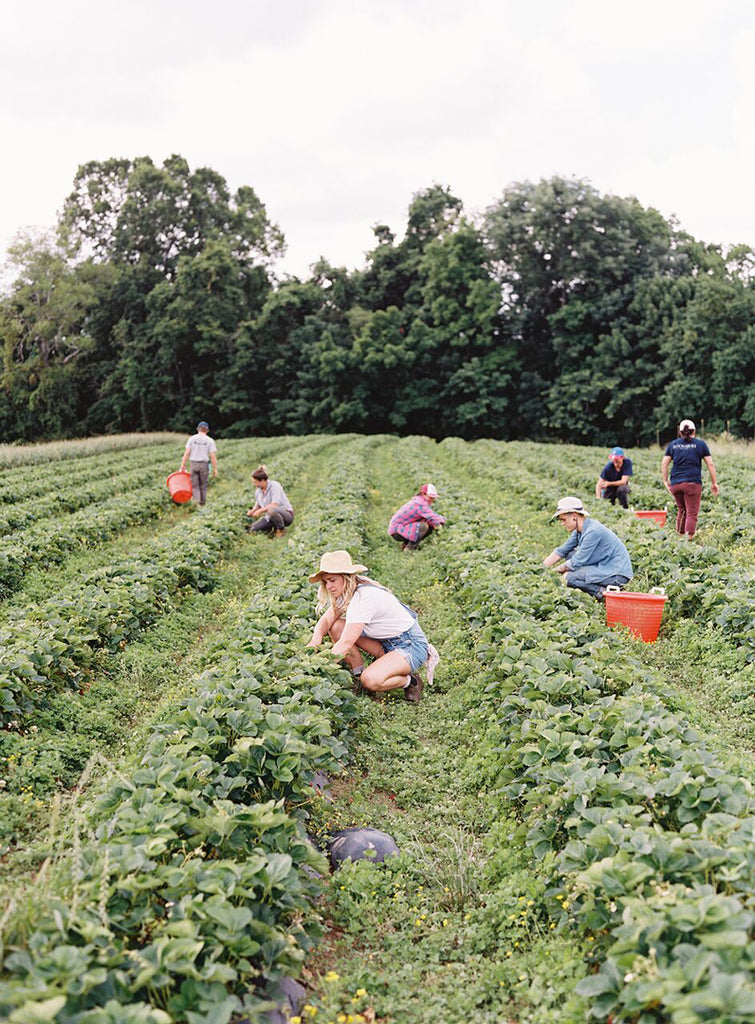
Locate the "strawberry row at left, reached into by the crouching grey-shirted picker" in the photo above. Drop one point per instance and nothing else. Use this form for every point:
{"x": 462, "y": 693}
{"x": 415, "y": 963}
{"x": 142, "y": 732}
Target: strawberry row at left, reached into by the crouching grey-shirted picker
{"x": 55, "y": 645}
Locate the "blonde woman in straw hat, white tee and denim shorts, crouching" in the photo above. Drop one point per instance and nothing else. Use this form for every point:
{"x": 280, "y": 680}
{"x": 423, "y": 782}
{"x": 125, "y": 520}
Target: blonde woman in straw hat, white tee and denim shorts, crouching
{"x": 360, "y": 615}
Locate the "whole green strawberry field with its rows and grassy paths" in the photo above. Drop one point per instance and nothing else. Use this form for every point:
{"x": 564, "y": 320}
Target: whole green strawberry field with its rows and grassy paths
{"x": 575, "y": 809}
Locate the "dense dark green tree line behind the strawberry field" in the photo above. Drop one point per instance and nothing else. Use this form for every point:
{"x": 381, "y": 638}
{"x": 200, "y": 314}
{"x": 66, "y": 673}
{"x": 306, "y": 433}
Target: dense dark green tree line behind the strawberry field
{"x": 558, "y": 314}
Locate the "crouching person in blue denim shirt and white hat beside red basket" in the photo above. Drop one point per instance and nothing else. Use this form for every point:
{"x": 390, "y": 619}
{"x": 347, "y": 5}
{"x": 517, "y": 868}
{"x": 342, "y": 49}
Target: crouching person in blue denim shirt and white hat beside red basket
{"x": 594, "y": 558}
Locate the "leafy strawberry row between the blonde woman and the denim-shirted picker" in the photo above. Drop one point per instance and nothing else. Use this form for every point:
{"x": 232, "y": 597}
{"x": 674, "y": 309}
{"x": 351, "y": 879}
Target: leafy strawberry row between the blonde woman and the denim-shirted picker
{"x": 645, "y": 835}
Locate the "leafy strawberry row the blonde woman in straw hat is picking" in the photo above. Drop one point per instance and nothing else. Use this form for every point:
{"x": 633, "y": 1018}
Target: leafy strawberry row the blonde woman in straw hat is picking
{"x": 197, "y": 891}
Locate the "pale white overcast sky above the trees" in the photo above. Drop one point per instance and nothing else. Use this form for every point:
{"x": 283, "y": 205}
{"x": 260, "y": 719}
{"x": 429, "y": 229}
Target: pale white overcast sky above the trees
{"x": 337, "y": 113}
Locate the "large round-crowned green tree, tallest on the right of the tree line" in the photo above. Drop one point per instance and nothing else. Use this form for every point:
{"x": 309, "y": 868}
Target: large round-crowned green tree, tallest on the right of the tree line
{"x": 570, "y": 263}
